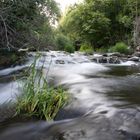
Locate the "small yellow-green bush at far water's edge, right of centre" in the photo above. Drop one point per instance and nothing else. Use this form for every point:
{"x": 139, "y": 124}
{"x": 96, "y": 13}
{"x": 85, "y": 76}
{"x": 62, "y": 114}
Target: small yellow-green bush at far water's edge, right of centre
{"x": 86, "y": 48}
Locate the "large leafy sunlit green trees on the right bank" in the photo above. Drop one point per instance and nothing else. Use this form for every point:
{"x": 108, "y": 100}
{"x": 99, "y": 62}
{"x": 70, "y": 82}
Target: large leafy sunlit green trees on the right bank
{"x": 100, "y": 24}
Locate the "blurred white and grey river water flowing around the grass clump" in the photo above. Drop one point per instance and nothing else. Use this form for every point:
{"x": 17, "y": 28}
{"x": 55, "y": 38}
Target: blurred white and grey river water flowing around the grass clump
{"x": 104, "y": 105}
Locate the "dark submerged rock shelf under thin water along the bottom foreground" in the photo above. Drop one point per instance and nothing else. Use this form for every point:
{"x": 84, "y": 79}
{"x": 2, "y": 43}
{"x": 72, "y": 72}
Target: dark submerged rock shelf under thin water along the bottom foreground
{"x": 123, "y": 125}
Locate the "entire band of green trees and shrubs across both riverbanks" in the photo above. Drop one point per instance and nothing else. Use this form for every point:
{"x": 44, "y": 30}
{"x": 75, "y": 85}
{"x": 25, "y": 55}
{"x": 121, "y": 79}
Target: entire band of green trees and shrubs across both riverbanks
{"x": 92, "y": 25}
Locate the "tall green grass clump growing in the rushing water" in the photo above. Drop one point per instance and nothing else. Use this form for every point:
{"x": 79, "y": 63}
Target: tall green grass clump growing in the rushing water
{"x": 38, "y": 99}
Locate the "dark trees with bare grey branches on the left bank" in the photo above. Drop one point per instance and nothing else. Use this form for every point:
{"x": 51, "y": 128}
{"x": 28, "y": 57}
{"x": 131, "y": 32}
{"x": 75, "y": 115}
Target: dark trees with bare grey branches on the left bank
{"x": 27, "y": 23}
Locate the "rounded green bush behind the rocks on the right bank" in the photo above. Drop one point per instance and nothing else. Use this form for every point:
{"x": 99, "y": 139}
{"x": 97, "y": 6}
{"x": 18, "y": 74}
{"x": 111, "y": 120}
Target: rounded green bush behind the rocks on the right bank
{"x": 120, "y": 47}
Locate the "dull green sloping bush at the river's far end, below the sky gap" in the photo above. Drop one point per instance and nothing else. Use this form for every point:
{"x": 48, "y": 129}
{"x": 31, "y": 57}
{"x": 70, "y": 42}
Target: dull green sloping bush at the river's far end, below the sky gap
{"x": 64, "y": 43}
